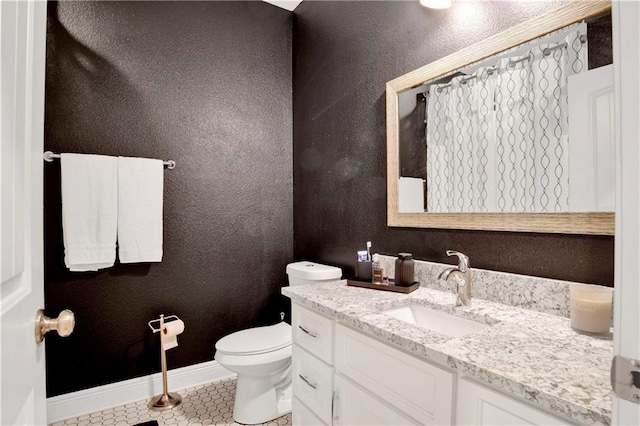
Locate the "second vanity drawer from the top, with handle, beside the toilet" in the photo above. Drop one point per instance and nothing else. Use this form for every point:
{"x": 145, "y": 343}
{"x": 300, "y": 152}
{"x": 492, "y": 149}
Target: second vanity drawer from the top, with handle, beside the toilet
{"x": 312, "y": 382}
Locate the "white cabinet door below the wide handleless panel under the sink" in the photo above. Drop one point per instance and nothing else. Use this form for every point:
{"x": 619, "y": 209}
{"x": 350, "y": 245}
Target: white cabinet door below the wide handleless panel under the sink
{"x": 354, "y": 406}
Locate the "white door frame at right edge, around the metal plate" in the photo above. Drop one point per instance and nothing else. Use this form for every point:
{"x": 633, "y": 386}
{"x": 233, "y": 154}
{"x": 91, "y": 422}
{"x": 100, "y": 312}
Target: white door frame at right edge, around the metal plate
{"x": 626, "y": 323}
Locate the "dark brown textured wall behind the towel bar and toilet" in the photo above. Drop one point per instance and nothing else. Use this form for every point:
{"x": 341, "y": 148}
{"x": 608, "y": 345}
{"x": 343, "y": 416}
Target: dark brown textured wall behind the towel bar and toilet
{"x": 207, "y": 84}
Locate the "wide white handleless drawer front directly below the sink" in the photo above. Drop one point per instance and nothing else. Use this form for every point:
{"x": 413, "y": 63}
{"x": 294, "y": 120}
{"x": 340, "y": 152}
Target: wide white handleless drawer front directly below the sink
{"x": 416, "y": 387}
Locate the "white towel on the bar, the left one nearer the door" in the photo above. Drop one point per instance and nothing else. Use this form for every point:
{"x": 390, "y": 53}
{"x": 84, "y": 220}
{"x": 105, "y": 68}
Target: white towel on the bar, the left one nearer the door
{"x": 89, "y": 210}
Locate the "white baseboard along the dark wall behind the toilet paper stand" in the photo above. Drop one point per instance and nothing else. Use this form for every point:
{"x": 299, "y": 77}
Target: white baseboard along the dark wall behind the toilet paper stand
{"x": 102, "y": 397}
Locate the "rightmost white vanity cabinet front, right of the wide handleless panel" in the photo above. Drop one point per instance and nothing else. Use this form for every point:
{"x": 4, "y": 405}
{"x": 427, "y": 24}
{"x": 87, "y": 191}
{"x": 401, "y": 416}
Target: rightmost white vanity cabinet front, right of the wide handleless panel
{"x": 478, "y": 405}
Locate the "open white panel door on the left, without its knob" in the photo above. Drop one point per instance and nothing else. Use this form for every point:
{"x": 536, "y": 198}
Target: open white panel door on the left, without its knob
{"x": 22, "y": 68}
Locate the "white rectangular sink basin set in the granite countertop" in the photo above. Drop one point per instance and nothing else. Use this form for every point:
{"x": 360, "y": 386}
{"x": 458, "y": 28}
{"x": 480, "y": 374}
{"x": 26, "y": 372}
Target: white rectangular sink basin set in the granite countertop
{"x": 437, "y": 321}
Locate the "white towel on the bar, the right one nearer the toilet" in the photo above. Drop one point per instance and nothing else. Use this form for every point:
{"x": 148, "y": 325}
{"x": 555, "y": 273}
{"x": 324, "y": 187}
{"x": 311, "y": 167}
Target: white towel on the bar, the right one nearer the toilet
{"x": 140, "y": 182}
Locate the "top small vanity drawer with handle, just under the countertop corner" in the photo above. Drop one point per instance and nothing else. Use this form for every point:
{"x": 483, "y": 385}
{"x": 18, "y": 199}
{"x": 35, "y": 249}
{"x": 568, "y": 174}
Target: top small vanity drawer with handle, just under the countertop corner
{"x": 313, "y": 332}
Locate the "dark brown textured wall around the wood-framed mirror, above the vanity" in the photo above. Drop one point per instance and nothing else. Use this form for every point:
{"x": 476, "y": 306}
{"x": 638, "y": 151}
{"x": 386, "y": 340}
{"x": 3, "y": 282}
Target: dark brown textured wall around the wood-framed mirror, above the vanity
{"x": 344, "y": 53}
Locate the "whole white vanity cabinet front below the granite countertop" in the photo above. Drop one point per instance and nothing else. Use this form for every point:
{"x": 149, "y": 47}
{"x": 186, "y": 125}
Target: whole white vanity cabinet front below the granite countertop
{"x": 343, "y": 377}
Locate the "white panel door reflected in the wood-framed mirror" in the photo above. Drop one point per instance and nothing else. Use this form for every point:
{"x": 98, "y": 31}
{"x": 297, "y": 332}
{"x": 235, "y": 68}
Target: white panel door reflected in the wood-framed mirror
{"x": 591, "y": 141}
